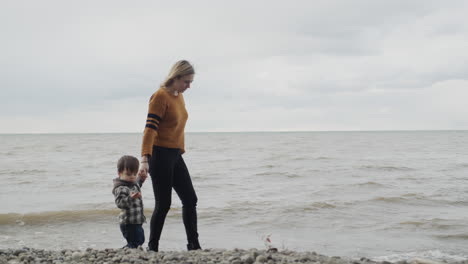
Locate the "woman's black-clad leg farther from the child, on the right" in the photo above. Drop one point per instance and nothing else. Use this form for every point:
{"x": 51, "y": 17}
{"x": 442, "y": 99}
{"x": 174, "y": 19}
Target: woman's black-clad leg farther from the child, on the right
{"x": 184, "y": 188}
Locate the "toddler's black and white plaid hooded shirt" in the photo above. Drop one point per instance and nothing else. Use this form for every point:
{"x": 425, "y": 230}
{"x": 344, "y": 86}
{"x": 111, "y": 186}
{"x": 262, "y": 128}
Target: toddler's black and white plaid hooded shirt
{"x": 131, "y": 209}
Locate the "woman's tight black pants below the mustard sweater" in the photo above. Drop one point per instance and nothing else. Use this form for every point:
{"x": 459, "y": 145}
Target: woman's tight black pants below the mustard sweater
{"x": 168, "y": 170}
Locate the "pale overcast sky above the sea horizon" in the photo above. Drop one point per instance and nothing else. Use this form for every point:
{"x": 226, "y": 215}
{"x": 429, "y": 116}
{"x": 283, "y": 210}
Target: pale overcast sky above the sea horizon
{"x": 91, "y": 66}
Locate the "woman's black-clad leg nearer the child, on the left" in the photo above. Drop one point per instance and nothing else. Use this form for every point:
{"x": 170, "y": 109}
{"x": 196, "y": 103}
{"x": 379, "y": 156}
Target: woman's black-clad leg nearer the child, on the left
{"x": 161, "y": 170}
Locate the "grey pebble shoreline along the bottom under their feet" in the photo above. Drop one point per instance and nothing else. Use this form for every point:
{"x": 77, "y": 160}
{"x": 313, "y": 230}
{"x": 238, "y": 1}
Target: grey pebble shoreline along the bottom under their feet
{"x": 206, "y": 256}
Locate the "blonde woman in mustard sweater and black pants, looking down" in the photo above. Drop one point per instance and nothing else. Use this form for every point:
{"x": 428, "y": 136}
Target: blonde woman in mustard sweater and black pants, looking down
{"x": 162, "y": 148}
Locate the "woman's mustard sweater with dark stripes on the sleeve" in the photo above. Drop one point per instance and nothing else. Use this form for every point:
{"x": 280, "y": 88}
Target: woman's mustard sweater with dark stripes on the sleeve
{"x": 165, "y": 123}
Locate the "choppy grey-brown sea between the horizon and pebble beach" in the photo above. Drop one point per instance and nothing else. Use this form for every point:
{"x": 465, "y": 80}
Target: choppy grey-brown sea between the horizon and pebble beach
{"x": 383, "y": 195}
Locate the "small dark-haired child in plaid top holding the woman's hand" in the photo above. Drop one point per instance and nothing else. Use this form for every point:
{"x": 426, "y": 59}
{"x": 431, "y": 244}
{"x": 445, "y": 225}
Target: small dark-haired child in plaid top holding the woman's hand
{"x": 127, "y": 194}
